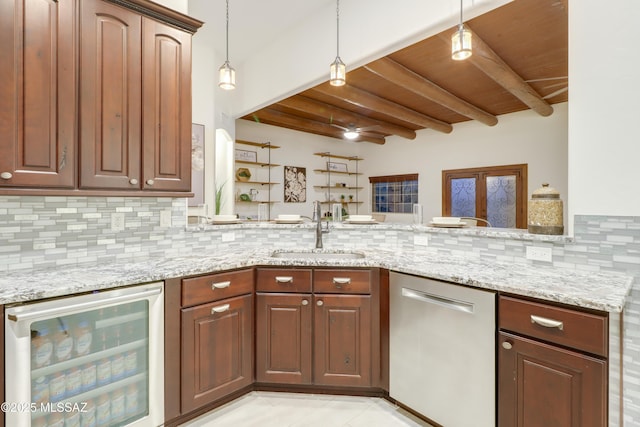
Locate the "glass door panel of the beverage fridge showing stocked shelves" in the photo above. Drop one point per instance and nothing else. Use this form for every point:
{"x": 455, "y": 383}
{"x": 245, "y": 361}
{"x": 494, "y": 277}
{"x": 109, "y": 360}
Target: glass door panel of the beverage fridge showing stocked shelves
{"x": 91, "y": 368}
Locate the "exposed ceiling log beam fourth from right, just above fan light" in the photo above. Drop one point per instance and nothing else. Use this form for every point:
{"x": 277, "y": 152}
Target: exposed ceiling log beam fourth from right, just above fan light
{"x": 346, "y": 117}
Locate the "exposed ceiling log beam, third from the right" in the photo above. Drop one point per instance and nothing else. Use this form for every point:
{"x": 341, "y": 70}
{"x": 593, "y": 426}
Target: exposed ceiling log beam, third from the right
{"x": 363, "y": 99}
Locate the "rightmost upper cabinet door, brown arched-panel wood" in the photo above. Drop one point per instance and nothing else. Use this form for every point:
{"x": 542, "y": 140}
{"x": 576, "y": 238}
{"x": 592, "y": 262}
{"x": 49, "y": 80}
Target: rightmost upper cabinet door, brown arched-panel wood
{"x": 166, "y": 97}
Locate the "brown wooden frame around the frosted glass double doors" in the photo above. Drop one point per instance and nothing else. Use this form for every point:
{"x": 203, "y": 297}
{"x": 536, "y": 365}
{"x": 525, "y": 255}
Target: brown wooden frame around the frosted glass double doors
{"x": 480, "y": 174}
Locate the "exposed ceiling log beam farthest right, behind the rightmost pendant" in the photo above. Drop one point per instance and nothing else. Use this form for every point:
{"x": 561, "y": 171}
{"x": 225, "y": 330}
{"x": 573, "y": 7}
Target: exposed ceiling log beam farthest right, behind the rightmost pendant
{"x": 487, "y": 61}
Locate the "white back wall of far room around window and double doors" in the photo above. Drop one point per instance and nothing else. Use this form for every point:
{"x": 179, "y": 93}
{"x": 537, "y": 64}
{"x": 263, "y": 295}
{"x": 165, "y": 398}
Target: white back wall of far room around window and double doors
{"x": 523, "y": 137}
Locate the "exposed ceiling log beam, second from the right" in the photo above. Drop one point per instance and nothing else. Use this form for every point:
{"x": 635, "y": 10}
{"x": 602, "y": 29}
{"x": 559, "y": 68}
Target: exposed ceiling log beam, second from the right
{"x": 398, "y": 74}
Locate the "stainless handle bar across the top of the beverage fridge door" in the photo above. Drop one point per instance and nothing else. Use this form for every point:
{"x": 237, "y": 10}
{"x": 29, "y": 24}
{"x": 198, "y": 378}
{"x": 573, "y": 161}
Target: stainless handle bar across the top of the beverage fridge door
{"x": 86, "y": 302}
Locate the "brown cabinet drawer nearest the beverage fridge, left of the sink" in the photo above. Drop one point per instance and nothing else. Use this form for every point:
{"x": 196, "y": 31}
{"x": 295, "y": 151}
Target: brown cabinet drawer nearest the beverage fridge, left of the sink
{"x": 214, "y": 287}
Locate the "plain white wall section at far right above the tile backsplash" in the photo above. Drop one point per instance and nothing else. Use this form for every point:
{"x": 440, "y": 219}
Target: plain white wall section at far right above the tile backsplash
{"x": 604, "y": 136}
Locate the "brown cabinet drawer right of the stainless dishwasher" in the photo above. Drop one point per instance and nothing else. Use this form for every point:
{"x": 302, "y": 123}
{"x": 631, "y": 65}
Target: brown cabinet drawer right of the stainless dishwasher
{"x": 571, "y": 328}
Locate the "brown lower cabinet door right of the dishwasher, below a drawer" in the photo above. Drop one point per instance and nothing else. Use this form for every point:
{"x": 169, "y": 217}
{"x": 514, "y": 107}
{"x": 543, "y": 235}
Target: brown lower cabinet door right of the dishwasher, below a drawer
{"x": 540, "y": 385}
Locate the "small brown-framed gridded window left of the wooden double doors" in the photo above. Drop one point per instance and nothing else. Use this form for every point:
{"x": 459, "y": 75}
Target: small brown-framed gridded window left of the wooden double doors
{"x": 394, "y": 193}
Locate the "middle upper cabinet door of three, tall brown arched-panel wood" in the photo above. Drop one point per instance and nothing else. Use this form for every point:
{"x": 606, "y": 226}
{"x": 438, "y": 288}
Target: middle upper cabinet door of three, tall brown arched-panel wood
{"x": 110, "y": 81}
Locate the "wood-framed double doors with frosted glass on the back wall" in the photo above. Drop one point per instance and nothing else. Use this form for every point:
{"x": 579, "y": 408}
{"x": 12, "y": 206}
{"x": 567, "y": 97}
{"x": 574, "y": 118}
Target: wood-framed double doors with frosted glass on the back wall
{"x": 497, "y": 194}
